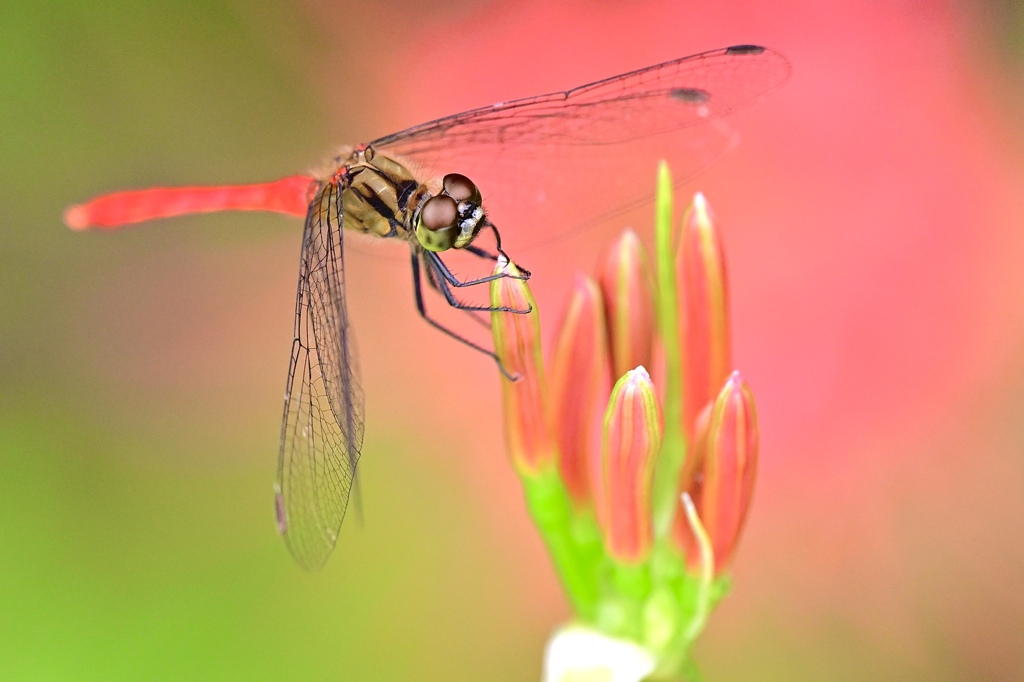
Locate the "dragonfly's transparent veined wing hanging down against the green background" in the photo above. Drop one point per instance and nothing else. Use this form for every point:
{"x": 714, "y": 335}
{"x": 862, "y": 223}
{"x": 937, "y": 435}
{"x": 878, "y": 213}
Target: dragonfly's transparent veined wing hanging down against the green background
{"x": 323, "y": 427}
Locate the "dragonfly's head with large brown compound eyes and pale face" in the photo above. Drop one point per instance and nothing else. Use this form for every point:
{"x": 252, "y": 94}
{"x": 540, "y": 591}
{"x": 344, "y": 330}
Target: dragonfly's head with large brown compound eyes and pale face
{"x": 451, "y": 220}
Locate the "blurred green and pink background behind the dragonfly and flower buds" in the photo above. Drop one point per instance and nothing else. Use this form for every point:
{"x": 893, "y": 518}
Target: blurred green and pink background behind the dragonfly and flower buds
{"x": 873, "y": 218}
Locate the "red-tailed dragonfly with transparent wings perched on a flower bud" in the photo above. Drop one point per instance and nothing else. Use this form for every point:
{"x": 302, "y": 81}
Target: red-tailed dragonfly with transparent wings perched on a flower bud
{"x": 563, "y": 161}
